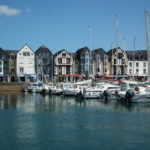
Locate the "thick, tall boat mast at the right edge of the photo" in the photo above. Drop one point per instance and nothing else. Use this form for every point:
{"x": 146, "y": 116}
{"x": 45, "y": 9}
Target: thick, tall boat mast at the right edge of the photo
{"x": 147, "y": 42}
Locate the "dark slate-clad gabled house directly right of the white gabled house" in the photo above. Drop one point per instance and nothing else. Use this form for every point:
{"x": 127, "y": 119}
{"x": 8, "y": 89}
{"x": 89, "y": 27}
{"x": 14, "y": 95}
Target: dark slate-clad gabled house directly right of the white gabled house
{"x": 44, "y": 63}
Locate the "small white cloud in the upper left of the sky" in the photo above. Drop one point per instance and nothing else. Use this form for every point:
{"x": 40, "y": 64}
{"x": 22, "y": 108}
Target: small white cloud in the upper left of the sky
{"x": 6, "y": 10}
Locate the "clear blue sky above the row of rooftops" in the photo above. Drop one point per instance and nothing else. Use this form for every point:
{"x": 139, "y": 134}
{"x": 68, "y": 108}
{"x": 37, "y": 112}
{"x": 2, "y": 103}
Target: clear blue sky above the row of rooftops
{"x": 73, "y": 24}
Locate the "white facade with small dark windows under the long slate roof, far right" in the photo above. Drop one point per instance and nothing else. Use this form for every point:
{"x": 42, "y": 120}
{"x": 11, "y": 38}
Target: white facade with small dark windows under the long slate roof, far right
{"x": 138, "y": 68}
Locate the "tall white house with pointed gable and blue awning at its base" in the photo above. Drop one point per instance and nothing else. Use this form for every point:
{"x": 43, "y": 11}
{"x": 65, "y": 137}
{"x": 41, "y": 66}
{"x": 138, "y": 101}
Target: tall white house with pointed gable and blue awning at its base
{"x": 26, "y": 64}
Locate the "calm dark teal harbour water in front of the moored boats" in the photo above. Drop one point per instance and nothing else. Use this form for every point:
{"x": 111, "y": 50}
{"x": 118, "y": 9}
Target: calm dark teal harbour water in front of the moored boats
{"x": 37, "y": 122}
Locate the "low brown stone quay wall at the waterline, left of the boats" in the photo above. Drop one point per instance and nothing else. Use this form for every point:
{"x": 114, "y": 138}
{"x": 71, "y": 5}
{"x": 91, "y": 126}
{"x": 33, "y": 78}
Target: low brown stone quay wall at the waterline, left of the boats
{"x": 4, "y": 87}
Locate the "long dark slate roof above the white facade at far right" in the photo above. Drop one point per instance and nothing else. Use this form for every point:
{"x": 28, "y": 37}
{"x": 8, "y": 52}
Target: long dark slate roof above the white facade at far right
{"x": 138, "y": 55}
